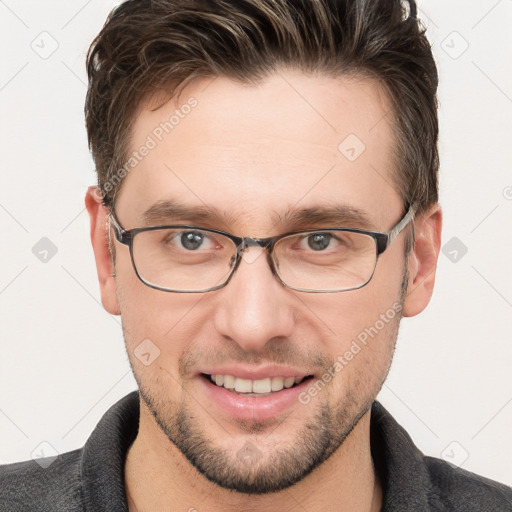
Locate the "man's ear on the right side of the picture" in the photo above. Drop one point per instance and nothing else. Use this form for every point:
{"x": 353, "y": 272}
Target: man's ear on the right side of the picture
{"x": 422, "y": 262}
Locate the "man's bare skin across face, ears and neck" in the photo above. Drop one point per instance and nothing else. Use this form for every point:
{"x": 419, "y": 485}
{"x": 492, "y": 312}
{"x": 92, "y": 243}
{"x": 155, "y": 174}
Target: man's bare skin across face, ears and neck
{"x": 249, "y": 151}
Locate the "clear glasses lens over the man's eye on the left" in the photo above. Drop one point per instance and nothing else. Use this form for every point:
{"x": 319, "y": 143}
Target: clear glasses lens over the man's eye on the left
{"x": 183, "y": 259}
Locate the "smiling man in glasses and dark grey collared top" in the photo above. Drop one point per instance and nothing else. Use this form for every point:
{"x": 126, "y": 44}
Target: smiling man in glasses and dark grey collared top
{"x": 266, "y": 212}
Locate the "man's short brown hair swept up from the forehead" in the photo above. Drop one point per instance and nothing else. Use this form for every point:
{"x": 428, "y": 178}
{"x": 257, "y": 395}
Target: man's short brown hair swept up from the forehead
{"x": 150, "y": 46}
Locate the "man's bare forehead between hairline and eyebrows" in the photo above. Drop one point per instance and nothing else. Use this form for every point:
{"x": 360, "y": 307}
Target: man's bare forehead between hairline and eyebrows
{"x": 260, "y": 150}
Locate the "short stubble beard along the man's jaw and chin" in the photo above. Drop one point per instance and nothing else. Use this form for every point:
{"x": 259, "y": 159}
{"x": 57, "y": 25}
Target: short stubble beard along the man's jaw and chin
{"x": 246, "y": 470}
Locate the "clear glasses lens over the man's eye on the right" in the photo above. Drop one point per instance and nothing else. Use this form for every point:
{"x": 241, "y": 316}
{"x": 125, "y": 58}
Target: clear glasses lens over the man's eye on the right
{"x": 328, "y": 260}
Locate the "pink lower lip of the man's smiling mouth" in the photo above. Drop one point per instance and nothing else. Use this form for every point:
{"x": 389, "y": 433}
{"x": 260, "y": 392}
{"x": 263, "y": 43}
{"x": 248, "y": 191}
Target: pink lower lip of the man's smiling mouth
{"x": 250, "y": 407}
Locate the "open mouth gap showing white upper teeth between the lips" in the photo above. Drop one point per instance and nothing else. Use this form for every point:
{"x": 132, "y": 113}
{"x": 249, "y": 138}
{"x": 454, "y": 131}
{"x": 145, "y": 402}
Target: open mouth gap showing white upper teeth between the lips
{"x": 255, "y": 388}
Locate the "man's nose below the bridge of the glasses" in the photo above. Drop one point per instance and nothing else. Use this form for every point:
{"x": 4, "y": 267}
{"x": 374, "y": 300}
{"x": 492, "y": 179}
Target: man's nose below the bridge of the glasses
{"x": 254, "y": 307}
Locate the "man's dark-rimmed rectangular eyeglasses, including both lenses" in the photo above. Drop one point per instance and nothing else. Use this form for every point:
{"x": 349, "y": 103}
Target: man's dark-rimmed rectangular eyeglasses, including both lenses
{"x": 190, "y": 259}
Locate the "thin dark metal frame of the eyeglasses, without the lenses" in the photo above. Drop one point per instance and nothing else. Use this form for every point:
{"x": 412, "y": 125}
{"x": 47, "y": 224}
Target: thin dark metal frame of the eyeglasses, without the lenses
{"x": 382, "y": 241}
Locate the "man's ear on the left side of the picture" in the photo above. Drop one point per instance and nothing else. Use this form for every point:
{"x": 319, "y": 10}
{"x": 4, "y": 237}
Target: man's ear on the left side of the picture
{"x": 99, "y": 237}
